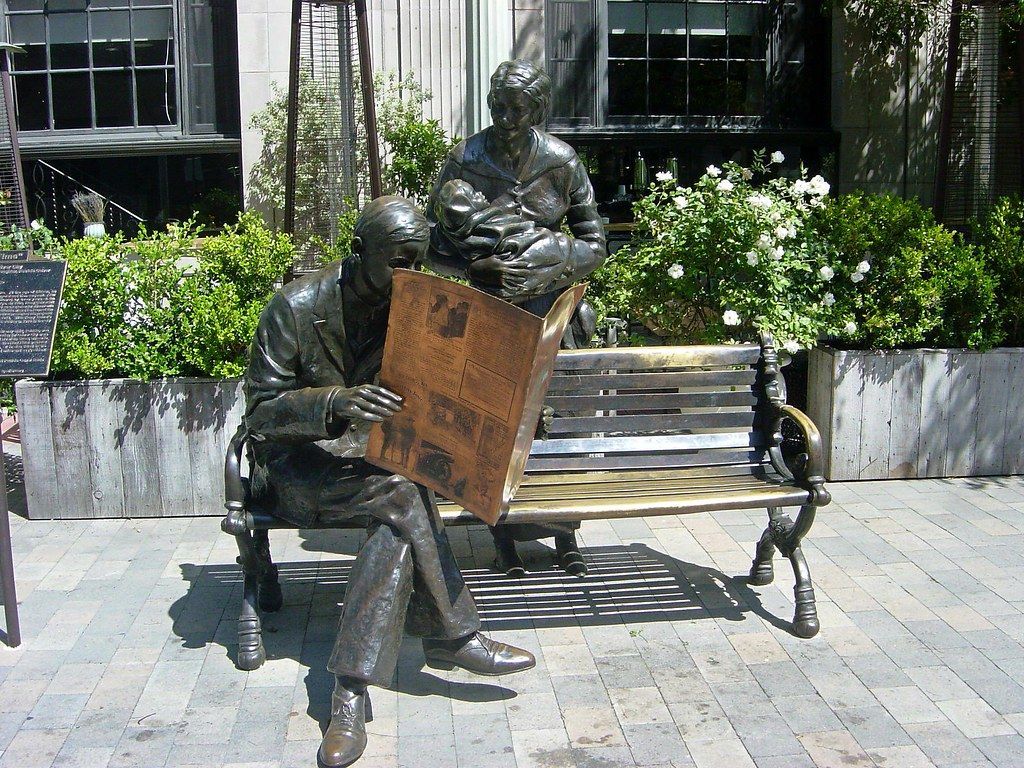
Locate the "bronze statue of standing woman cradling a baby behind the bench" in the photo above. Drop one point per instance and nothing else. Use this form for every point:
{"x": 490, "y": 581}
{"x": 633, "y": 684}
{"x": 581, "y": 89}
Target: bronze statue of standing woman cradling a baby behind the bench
{"x": 531, "y": 176}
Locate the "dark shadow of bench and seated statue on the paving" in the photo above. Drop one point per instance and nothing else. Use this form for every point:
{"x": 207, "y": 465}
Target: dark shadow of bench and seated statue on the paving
{"x": 627, "y": 584}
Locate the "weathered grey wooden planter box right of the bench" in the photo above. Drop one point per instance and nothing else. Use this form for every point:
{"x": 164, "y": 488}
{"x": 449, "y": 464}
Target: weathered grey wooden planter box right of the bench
{"x": 918, "y": 413}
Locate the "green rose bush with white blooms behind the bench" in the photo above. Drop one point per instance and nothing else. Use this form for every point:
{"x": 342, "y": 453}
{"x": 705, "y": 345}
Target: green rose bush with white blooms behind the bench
{"x": 726, "y": 259}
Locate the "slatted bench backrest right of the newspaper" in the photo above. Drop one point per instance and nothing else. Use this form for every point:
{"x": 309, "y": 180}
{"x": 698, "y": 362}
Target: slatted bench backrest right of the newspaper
{"x": 653, "y": 408}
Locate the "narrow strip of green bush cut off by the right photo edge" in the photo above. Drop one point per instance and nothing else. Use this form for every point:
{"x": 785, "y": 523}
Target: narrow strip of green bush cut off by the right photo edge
{"x": 1001, "y": 239}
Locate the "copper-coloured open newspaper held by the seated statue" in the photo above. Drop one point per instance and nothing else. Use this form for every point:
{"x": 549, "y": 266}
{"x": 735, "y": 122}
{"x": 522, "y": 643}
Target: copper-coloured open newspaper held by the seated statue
{"x": 474, "y": 371}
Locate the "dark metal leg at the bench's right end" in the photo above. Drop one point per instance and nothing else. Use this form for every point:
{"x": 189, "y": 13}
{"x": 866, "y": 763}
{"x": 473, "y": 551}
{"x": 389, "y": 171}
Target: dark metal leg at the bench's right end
{"x": 785, "y": 535}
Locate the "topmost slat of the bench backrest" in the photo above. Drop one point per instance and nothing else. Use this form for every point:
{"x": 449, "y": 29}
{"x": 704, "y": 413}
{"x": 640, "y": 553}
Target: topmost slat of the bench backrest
{"x": 639, "y": 359}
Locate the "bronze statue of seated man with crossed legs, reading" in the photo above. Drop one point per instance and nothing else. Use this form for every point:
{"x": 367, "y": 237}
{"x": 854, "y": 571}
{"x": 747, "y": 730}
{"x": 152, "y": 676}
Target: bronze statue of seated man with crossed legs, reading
{"x": 310, "y": 393}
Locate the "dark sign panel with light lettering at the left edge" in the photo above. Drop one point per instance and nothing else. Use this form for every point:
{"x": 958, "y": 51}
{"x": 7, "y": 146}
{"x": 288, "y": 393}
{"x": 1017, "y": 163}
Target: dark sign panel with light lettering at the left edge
{"x": 30, "y": 298}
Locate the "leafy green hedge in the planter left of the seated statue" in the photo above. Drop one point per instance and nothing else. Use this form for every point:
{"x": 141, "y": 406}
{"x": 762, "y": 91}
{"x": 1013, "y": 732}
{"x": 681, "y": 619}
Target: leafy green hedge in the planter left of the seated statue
{"x": 166, "y": 305}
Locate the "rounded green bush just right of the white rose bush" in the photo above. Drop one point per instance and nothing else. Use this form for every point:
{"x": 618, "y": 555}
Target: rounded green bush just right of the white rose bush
{"x": 925, "y": 285}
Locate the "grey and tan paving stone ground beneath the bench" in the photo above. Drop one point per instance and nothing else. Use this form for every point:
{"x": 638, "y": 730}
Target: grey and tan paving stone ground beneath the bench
{"x": 662, "y": 657}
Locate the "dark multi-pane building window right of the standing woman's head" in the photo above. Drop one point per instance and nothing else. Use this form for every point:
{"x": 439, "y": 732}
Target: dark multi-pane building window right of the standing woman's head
{"x": 688, "y": 63}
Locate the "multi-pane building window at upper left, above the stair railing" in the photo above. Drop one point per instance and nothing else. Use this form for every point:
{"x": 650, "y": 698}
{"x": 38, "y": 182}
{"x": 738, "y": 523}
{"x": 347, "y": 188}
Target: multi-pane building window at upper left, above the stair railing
{"x": 117, "y": 64}
